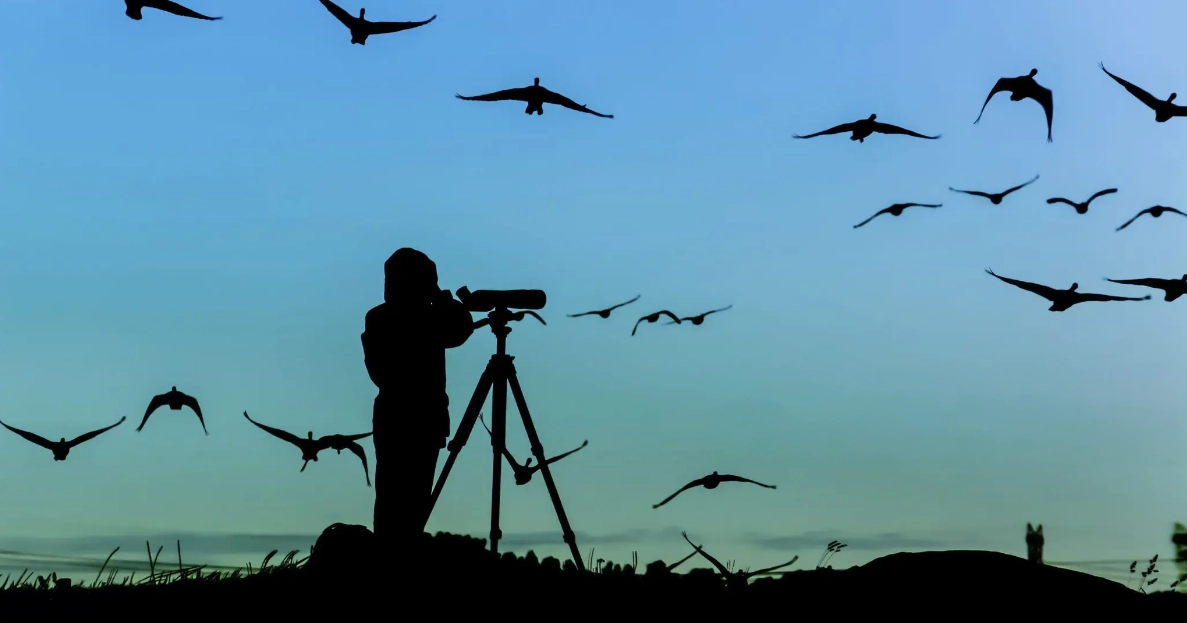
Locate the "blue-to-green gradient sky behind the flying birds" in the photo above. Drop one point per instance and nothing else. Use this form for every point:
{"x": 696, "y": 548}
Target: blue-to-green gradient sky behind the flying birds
{"x": 210, "y": 206}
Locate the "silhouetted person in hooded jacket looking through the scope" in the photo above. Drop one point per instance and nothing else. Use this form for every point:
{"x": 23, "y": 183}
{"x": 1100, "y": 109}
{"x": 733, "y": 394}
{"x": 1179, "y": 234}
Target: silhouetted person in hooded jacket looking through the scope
{"x": 404, "y": 349}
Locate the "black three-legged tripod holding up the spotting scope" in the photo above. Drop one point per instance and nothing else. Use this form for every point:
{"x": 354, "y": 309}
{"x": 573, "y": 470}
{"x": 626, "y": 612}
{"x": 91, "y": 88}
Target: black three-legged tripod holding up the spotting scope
{"x": 499, "y": 376}
